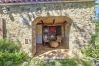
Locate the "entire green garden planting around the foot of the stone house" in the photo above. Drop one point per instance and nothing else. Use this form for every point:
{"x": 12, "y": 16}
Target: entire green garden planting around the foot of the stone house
{"x": 11, "y": 54}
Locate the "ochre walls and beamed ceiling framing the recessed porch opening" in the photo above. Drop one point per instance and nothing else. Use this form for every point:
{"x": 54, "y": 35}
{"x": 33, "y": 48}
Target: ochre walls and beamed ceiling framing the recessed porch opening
{"x": 63, "y": 21}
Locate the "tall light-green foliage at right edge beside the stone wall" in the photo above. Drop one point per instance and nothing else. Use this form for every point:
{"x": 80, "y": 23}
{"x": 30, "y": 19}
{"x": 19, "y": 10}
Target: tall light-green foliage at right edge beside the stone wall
{"x": 92, "y": 50}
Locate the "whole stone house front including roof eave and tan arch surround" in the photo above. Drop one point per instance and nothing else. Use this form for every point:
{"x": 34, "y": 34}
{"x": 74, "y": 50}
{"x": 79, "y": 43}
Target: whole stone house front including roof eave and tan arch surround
{"x": 20, "y": 20}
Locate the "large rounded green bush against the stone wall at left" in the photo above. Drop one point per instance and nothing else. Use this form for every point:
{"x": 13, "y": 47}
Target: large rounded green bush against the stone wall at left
{"x": 10, "y": 54}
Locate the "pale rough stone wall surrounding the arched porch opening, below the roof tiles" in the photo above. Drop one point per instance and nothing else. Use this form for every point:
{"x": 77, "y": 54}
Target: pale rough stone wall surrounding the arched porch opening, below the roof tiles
{"x": 19, "y": 21}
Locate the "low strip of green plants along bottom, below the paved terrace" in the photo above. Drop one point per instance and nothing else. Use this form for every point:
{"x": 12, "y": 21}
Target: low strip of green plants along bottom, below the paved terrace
{"x": 61, "y": 62}
